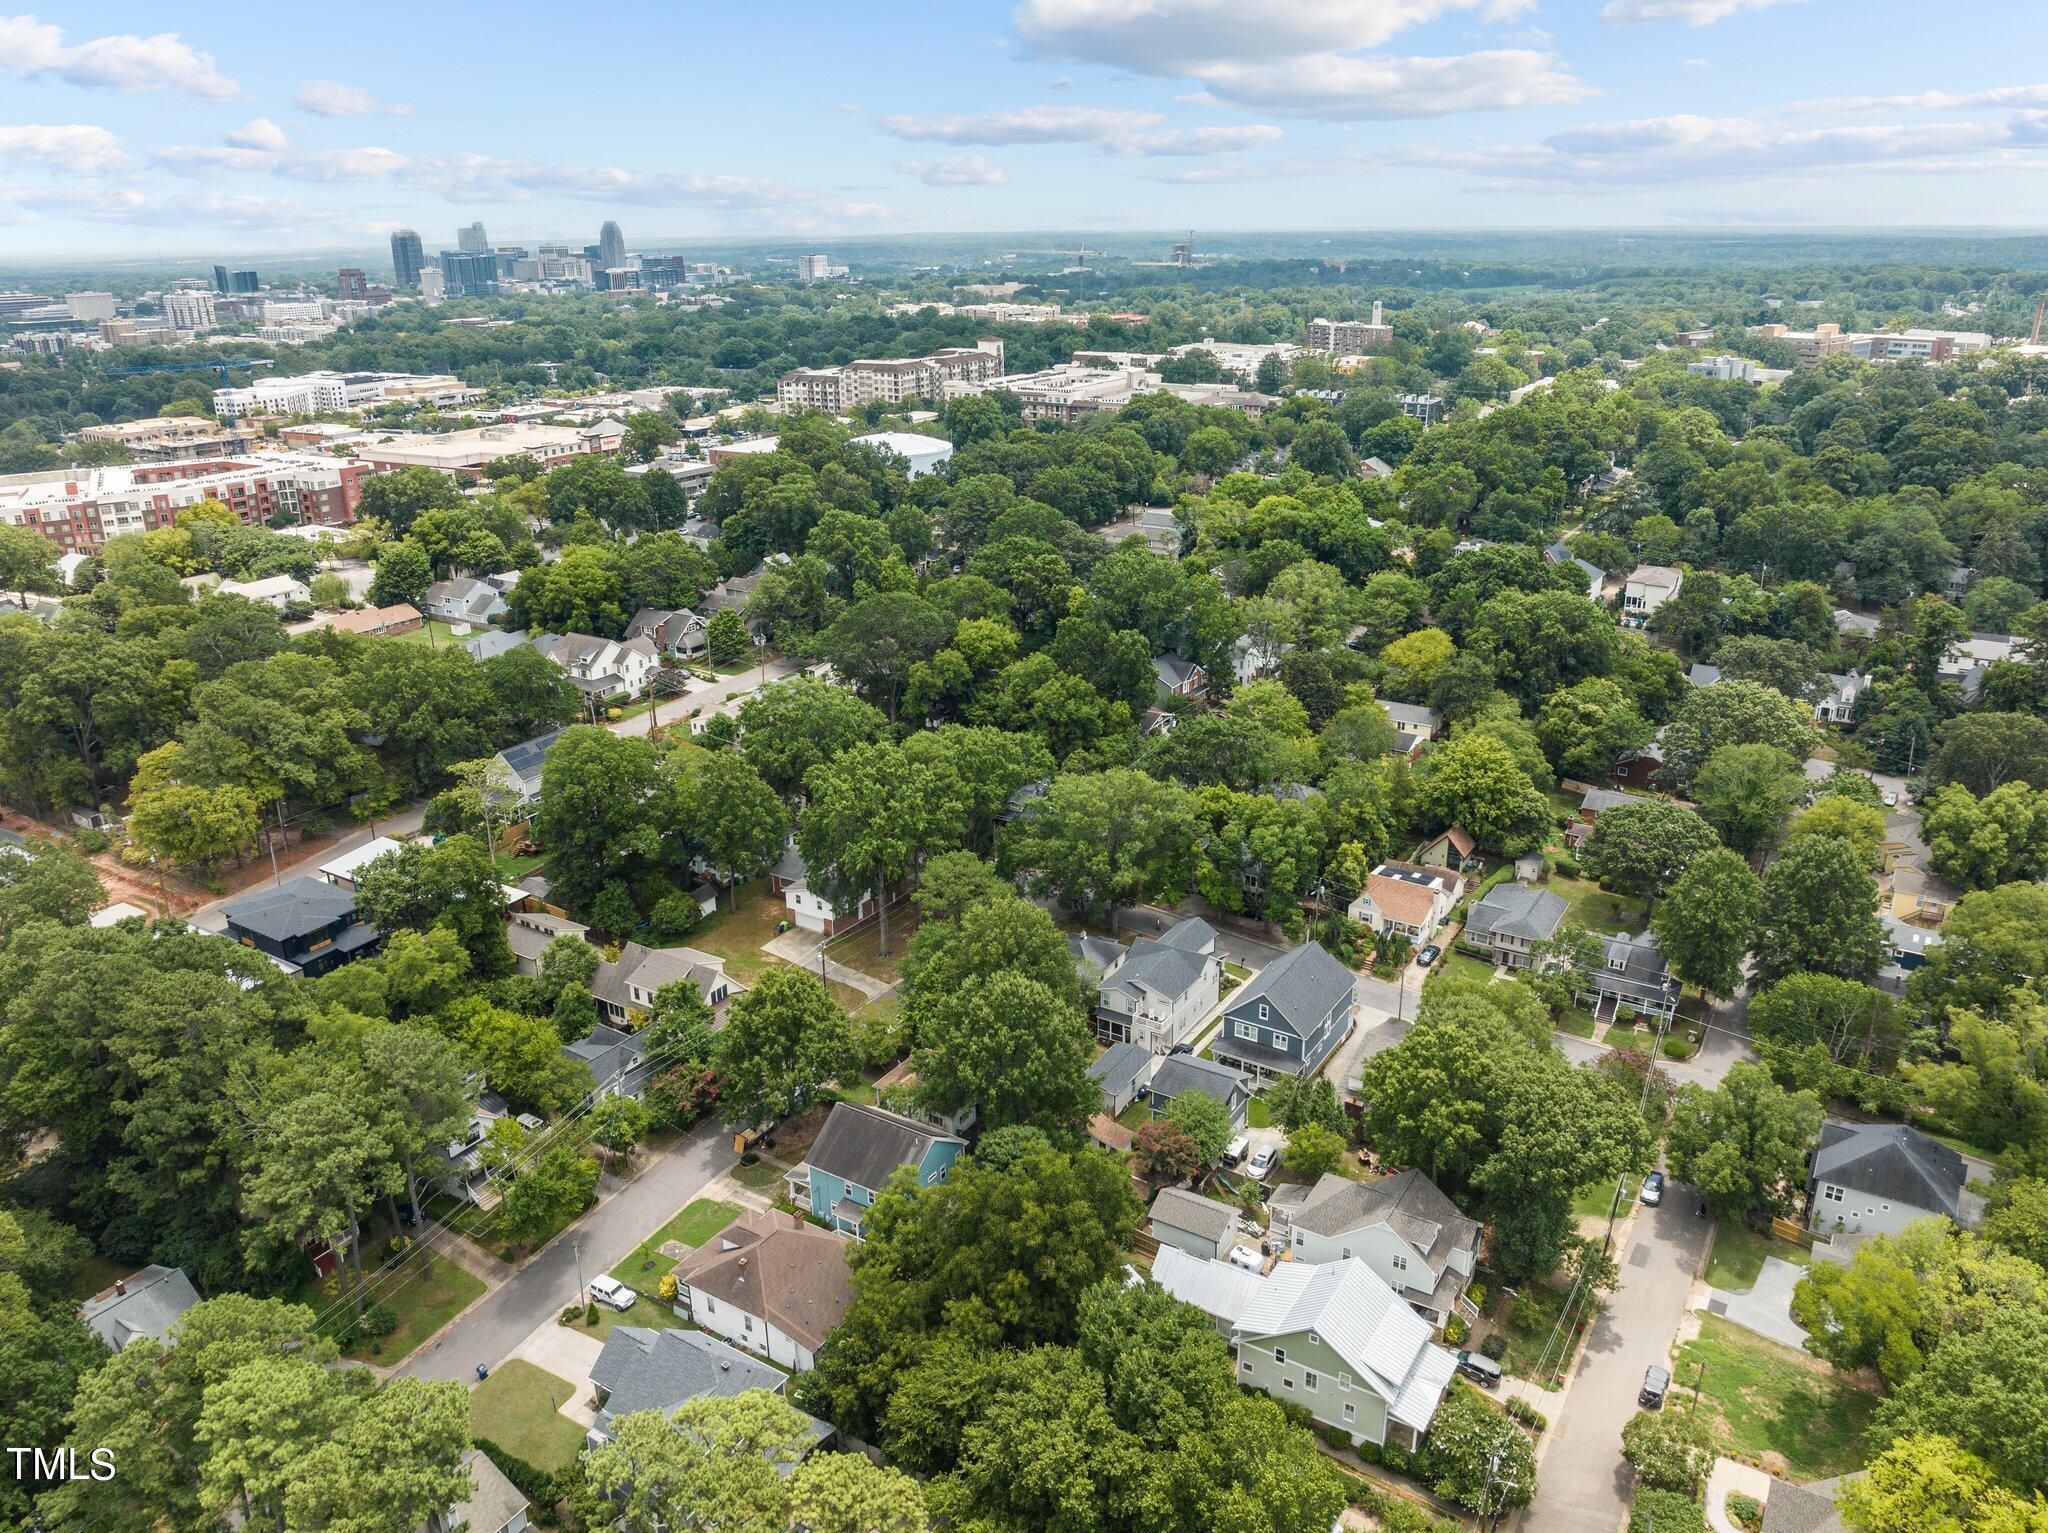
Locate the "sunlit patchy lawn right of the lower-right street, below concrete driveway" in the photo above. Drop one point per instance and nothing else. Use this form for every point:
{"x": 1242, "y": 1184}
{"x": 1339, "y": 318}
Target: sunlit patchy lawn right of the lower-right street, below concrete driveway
{"x": 1773, "y": 1401}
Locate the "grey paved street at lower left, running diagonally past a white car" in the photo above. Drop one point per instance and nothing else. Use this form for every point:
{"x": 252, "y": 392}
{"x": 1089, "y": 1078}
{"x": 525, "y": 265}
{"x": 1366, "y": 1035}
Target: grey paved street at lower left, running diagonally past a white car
{"x": 546, "y": 1286}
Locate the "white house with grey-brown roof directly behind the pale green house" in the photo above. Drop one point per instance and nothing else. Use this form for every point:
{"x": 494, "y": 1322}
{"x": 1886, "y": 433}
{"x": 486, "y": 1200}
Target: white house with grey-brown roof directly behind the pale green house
{"x": 1402, "y": 1227}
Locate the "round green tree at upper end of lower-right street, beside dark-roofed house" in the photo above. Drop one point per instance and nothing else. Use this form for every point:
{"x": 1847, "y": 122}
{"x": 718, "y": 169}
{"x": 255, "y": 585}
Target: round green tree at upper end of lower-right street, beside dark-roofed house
{"x": 1746, "y": 1143}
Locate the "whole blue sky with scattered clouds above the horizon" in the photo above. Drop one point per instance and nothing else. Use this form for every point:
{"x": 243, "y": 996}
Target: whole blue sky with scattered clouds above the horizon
{"x": 134, "y": 130}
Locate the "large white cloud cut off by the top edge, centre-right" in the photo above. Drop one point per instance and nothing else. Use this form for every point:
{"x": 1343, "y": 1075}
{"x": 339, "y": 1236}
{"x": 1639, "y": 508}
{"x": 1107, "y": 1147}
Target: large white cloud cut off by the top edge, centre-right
{"x": 1185, "y": 36}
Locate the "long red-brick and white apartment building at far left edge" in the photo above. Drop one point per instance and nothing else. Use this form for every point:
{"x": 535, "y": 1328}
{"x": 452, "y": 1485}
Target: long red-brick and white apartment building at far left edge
{"x": 81, "y": 509}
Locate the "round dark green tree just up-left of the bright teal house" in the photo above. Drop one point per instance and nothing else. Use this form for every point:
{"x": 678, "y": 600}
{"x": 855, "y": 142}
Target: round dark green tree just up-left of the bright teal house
{"x": 783, "y": 1043}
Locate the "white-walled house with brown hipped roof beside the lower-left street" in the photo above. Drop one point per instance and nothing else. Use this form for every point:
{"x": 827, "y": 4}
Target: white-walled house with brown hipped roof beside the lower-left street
{"x": 769, "y": 1284}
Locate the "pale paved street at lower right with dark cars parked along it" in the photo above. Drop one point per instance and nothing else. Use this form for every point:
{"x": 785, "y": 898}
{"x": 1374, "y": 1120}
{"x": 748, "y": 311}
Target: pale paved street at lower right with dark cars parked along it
{"x": 1584, "y": 1483}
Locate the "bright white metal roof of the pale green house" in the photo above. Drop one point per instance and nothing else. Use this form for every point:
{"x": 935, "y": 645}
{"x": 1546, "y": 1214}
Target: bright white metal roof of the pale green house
{"x": 1365, "y": 1323}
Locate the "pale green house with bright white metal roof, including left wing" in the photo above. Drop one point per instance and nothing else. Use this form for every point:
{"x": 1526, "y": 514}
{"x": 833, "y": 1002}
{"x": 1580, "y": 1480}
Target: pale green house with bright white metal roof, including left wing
{"x": 1328, "y": 1338}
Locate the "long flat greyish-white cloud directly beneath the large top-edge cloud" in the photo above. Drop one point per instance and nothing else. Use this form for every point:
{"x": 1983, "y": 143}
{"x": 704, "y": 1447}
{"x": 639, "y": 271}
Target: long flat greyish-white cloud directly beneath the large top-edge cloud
{"x": 1351, "y": 89}
